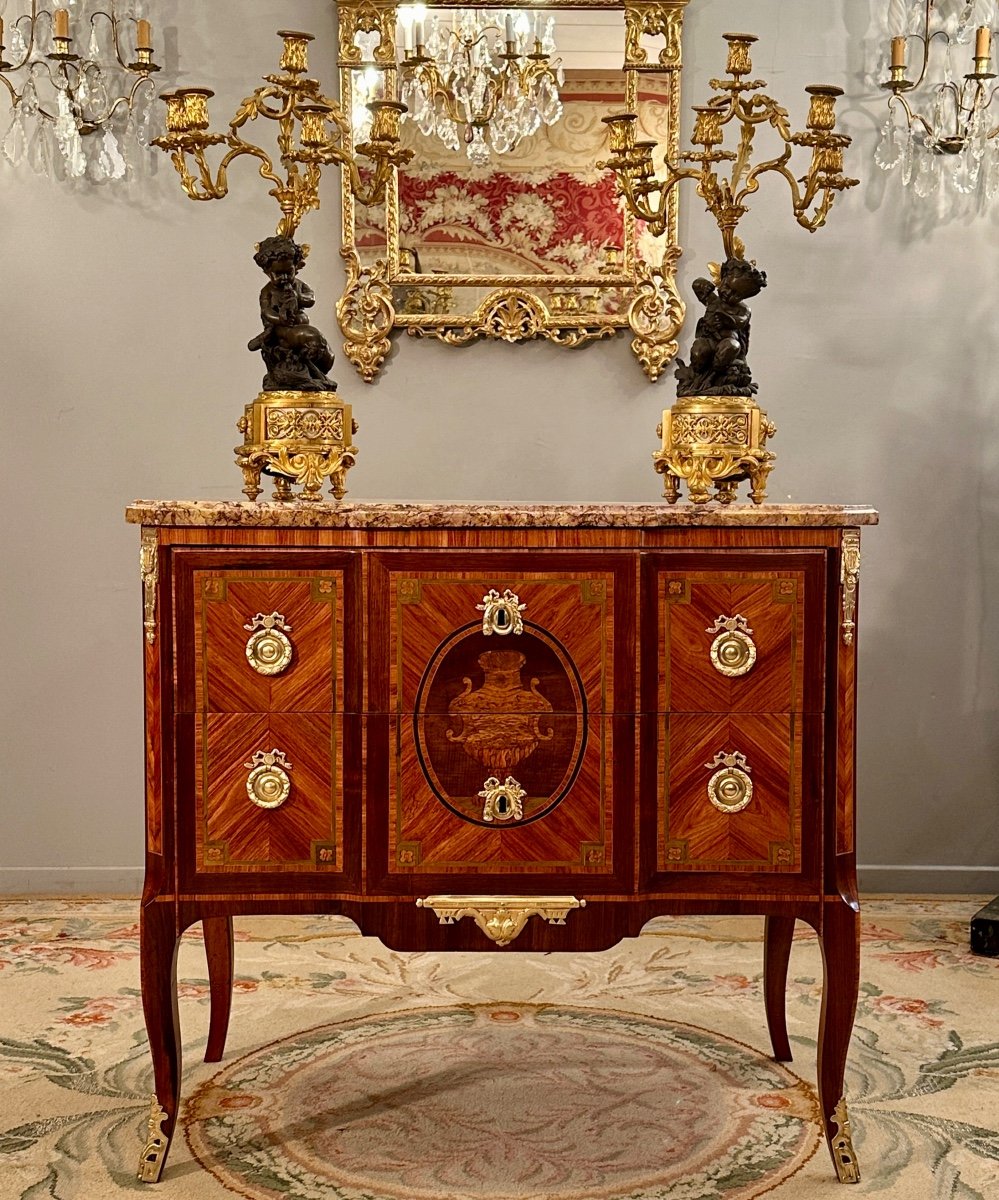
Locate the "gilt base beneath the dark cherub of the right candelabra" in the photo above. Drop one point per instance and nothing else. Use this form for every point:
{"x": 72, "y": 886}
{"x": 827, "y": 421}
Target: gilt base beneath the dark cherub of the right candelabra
{"x": 715, "y": 442}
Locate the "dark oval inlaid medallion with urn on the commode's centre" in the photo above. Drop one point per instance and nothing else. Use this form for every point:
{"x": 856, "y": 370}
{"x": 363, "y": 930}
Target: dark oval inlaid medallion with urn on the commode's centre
{"x": 493, "y": 713}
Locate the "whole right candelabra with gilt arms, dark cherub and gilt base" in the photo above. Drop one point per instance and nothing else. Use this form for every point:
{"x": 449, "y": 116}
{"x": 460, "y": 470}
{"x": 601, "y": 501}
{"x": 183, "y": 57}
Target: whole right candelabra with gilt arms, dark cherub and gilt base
{"x": 716, "y": 434}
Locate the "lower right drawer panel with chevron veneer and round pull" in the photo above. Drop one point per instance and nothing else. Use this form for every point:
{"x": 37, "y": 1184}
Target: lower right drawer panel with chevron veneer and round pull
{"x": 731, "y": 793}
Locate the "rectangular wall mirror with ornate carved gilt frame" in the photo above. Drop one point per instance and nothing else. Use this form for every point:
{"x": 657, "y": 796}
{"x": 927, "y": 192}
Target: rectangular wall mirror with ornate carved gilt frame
{"x": 504, "y": 225}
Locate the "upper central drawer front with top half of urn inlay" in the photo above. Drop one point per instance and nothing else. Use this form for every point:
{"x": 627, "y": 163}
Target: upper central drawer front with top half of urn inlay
{"x": 501, "y": 634}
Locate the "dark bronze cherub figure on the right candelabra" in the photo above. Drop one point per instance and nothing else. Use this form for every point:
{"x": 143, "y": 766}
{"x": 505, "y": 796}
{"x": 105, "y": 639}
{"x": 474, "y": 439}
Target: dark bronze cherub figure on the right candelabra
{"x": 719, "y": 365}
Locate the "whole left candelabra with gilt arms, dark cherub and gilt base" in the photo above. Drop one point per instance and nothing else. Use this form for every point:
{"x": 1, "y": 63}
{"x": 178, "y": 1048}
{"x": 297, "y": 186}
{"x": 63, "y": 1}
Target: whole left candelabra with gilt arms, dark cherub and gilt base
{"x": 297, "y": 431}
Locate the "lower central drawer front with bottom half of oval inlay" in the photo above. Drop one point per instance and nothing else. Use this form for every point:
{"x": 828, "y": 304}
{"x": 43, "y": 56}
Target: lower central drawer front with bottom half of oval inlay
{"x": 453, "y": 813}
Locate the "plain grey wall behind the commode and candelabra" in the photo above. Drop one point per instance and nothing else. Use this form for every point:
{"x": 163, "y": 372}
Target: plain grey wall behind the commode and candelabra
{"x": 124, "y": 325}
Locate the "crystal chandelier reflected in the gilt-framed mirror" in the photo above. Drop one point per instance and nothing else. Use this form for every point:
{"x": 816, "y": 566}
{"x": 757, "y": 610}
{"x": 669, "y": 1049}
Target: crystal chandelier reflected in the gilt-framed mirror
{"x": 488, "y": 71}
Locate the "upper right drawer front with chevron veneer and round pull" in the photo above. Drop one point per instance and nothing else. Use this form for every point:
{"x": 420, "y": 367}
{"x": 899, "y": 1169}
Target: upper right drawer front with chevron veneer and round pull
{"x": 737, "y": 633}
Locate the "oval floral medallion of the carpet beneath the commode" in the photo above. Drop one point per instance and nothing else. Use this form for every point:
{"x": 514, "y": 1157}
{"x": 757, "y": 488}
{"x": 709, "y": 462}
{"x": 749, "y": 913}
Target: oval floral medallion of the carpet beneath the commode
{"x": 504, "y": 1102}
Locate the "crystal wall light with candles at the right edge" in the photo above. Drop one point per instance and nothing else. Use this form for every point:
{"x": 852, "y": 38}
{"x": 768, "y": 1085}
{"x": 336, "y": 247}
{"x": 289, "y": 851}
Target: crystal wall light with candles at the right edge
{"x": 943, "y": 47}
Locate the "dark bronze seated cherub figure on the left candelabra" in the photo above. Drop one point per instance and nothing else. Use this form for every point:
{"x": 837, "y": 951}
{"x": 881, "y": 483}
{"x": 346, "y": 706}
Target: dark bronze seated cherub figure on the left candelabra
{"x": 297, "y": 356}
